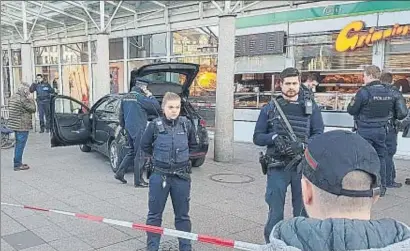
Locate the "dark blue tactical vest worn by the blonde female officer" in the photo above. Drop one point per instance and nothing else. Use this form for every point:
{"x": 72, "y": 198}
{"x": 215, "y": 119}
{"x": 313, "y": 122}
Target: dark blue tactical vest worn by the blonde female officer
{"x": 171, "y": 145}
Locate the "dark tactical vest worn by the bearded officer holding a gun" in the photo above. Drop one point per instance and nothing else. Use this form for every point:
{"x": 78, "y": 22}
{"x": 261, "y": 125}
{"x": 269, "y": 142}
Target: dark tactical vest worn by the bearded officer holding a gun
{"x": 295, "y": 113}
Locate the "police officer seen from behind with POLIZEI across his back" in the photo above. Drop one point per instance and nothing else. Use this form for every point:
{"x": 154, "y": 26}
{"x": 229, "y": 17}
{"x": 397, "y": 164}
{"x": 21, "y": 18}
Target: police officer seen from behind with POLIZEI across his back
{"x": 372, "y": 107}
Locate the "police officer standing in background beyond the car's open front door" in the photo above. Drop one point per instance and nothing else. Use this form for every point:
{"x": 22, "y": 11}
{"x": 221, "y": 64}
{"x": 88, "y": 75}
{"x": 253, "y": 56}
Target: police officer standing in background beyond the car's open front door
{"x": 43, "y": 92}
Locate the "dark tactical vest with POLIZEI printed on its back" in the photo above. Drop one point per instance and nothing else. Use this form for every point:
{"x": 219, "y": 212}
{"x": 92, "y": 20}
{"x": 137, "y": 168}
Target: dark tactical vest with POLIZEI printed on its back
{"x": 379, "y": 105}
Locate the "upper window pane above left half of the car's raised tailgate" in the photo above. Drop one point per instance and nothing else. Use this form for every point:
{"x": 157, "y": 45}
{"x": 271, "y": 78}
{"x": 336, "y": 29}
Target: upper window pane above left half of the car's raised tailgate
{"x": 145, "y": 46}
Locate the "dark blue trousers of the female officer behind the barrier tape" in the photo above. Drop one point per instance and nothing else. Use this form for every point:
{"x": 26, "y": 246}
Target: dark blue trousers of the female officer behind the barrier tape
{"x": 180, "y": 190}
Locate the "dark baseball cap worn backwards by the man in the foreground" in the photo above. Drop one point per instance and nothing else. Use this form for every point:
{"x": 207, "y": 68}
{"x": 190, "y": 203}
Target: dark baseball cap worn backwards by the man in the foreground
{"x": 330, "y": 156}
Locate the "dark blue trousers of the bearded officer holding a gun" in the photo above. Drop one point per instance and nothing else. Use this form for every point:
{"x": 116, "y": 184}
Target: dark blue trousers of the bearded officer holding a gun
{"x": 278, "y": 181}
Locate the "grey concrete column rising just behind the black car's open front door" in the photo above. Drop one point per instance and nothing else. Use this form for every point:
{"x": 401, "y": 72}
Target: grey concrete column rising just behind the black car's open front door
{"x": 102, "y": 72}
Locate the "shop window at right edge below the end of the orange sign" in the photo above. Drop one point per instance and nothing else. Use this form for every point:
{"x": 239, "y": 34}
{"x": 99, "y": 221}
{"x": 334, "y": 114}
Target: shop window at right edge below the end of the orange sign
{"x": 397, "y": 57}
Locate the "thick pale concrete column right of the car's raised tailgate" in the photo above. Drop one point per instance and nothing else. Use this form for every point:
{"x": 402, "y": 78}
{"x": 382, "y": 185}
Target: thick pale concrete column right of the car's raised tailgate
{"x": 223, "y": 138}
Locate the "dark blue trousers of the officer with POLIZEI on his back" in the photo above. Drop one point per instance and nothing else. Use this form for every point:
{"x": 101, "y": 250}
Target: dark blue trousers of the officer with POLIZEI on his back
{"x": 377, "y": 138}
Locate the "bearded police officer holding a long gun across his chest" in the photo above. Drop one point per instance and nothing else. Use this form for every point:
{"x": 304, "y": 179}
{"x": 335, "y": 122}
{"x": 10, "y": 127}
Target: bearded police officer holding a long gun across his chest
{"x": 305, "y": 118}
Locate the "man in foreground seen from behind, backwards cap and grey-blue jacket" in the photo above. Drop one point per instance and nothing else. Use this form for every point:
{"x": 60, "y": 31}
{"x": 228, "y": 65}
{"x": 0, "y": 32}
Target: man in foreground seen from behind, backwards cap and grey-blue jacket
{"x": 340, "y": 183}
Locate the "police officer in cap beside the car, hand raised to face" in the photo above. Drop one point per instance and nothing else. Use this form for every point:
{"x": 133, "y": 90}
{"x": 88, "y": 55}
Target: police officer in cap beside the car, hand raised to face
{"x": 134, "y": 111}
